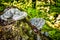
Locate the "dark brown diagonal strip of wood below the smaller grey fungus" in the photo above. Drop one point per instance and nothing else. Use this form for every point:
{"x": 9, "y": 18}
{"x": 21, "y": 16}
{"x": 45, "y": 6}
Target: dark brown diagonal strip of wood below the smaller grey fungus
{"x": 36, "y": 30}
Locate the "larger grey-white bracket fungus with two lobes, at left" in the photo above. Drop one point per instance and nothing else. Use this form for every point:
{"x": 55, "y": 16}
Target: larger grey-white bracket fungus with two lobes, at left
{"x": 12, "y": 14}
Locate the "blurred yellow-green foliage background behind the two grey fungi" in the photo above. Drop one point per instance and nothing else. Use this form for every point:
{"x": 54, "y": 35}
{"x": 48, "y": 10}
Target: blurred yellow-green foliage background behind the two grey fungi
{"x": 46, "y": 9}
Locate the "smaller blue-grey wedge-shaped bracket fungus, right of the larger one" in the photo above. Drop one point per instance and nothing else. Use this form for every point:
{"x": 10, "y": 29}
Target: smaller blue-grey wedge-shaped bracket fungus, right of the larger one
{"x": 38, "y": 22}
